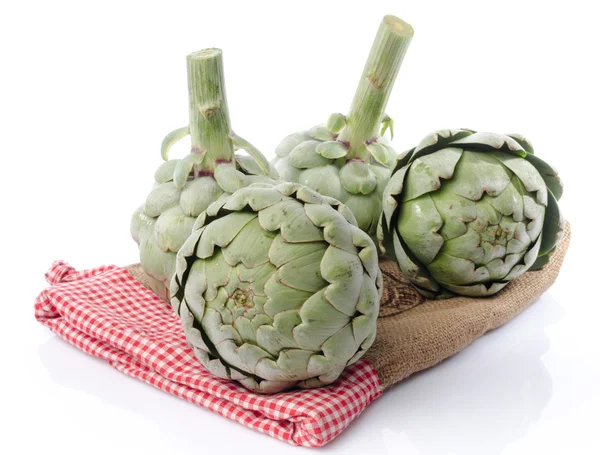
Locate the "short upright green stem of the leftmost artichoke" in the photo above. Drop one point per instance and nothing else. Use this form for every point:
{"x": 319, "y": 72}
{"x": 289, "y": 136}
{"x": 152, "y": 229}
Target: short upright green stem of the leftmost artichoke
{"x": 209, "y": 116}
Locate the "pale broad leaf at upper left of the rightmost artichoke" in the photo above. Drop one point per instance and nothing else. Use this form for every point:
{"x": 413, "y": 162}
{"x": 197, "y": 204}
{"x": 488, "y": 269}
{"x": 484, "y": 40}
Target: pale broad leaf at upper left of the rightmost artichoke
{"x": 425, "y": 172}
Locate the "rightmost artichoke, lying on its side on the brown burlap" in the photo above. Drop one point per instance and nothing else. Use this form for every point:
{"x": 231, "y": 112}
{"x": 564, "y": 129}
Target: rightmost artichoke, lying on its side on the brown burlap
{"x": 466, "y": 212}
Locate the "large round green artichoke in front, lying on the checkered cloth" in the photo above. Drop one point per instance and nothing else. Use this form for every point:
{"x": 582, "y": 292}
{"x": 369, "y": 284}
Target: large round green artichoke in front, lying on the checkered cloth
{"x": 277, "y": 287}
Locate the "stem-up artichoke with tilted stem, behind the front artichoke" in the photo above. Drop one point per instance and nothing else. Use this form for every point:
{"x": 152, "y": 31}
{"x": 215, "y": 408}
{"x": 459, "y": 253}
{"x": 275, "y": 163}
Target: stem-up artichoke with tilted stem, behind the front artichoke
{"x": 348, "y": 158}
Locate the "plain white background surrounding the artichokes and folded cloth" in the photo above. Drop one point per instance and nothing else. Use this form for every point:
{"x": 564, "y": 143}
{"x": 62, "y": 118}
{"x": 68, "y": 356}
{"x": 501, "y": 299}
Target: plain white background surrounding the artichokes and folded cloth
{"x": 87, "y": 92}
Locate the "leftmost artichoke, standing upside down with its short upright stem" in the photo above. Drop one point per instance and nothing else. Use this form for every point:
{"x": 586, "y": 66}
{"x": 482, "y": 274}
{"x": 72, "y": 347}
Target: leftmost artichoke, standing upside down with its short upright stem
{"x": 186, "y": 187}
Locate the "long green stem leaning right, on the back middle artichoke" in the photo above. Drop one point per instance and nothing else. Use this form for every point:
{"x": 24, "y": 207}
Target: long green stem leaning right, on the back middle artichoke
{"x": 376, "y": 83}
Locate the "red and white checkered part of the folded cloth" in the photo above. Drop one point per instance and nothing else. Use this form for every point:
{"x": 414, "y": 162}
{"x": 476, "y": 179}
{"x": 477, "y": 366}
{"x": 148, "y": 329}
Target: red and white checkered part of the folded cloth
{"x": 107, "y": 313}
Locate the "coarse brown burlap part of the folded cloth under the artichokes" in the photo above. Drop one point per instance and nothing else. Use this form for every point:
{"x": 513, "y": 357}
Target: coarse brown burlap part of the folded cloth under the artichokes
{"x": 414, "y": 333}
